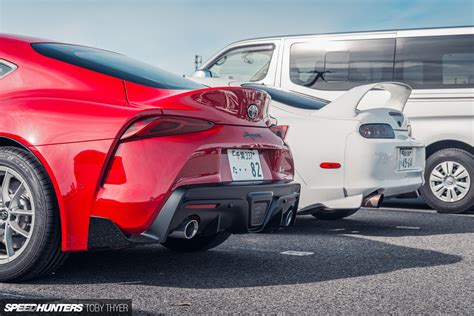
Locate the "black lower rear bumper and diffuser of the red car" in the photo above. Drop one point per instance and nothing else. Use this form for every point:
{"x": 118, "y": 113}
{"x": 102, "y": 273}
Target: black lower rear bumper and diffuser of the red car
{"x": 235, "y": 208}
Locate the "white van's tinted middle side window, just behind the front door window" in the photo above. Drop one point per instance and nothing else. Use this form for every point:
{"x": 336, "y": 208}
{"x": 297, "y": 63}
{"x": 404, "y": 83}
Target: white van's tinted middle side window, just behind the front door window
{"x": 341, "y": 65}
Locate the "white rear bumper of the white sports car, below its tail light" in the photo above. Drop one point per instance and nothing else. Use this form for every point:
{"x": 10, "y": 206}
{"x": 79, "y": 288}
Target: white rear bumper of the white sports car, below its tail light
{"x": 370, "y": 166}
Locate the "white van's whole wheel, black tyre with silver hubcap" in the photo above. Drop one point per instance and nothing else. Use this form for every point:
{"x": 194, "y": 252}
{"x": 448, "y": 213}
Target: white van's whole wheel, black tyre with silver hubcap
{"x": 449, "y": 181}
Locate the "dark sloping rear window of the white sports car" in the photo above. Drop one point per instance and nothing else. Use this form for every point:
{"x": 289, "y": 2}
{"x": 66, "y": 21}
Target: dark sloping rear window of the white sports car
{"x": 290, "y": 98}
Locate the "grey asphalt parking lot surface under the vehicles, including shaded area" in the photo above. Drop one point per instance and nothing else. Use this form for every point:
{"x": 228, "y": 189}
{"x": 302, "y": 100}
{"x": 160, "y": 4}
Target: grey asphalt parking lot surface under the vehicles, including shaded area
{"x": 378, "y": 261}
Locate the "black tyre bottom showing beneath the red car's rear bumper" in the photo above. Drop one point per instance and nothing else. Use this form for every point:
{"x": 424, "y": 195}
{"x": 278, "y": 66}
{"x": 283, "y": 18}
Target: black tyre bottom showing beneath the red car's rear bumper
{"x": 198, "y": 243}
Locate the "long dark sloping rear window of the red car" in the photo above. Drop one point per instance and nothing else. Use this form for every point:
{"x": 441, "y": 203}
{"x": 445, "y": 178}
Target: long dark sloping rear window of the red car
{"x": 115, "y": 65}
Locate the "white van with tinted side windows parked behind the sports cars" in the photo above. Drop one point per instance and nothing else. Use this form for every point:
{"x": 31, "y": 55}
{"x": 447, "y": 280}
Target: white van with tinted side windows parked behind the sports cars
{"x": 437, "y": 63}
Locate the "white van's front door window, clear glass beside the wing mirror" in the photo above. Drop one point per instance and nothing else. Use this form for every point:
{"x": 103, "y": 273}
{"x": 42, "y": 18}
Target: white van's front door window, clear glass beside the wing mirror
{"x": 243, "y": 64}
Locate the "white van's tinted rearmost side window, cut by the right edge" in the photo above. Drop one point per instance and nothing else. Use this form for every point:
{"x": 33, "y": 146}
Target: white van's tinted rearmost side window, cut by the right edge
{"x": 436, "y": 62}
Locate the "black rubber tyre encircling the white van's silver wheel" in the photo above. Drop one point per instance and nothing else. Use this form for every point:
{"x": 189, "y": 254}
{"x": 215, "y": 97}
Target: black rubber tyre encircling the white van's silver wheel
{"x": 467, "y": 161}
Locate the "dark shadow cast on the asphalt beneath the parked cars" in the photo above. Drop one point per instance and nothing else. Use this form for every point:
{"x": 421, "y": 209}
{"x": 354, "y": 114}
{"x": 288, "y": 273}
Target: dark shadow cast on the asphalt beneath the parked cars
{"x": 334, "y": 251}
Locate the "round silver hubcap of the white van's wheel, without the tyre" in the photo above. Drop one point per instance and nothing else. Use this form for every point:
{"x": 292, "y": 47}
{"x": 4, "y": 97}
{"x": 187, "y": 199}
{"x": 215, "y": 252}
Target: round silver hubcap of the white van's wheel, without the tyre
{"x": 450, "y": 181}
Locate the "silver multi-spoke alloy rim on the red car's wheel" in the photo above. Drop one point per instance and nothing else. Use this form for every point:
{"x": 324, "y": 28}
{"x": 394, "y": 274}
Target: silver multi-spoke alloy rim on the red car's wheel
{"x": 17, "y": 214}
